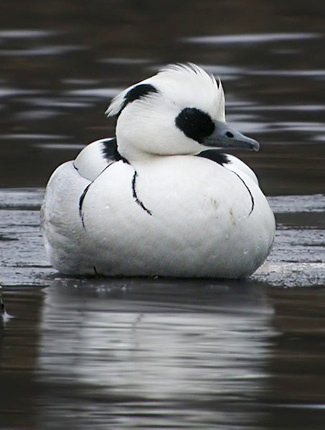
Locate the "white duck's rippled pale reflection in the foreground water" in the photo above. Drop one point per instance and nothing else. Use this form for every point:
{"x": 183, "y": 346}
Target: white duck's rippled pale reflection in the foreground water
{"x": 153, "y": 353}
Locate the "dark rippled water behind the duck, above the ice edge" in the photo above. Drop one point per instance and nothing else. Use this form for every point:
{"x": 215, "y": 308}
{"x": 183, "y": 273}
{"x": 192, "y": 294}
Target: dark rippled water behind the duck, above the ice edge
{"x": 61, "y": 62}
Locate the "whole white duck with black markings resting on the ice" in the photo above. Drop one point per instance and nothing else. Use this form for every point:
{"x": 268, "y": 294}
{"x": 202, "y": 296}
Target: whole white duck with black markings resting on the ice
{"x": 156, "y": 200}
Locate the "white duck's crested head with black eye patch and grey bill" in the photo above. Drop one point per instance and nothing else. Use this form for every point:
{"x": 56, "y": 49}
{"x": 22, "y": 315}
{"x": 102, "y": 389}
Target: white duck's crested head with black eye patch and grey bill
{"x": 178, "y": 111}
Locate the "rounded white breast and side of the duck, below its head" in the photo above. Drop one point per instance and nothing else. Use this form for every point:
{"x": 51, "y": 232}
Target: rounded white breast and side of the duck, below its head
{"x": 184, "y": 215}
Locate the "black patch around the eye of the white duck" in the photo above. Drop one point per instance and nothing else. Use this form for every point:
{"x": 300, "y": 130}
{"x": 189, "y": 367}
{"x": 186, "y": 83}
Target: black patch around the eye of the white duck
{"x": 195, "y": 124}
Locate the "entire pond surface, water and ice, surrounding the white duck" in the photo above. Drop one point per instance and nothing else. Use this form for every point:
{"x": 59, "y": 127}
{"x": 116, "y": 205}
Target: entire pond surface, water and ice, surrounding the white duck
{"x": 124, "y": 354}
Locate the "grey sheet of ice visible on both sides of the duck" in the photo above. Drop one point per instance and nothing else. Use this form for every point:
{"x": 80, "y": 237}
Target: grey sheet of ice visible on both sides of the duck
{"x": 297, "y": 258}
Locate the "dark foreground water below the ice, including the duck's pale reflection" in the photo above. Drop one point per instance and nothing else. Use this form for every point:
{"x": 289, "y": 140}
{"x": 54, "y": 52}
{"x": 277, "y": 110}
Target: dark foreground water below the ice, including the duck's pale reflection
{"x": 161, "y": 354}
